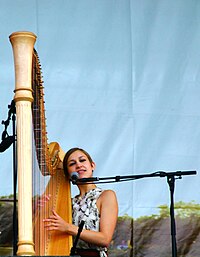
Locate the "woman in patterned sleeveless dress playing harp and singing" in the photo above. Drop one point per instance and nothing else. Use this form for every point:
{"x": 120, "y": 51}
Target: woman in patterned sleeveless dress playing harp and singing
{"x": 96, "y": 207}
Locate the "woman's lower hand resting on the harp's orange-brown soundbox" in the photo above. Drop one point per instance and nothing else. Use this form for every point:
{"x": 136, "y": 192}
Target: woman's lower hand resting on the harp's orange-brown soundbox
{"x": 55, "y": 222}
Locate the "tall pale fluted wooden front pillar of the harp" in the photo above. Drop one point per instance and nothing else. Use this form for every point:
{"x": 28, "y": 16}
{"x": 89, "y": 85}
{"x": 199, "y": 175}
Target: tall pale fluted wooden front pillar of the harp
{"x": 23, "y": 44}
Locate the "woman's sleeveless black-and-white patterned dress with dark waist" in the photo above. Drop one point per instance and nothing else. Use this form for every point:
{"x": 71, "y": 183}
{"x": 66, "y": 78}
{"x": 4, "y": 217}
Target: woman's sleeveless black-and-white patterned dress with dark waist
{"x": 85, "y": 208}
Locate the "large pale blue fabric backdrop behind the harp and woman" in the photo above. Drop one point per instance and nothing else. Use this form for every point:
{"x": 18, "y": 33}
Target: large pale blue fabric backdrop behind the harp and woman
{"x": 121, "y": 80}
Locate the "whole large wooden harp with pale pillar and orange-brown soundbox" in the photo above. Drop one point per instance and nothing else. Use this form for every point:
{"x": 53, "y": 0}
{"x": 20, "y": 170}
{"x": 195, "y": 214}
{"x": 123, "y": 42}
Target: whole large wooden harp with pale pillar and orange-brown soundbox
{"x": 33, "y": 238}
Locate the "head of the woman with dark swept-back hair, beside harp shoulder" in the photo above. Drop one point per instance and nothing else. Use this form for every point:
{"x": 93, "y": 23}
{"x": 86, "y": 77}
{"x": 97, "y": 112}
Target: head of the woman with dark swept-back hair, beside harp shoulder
{"x": 79, "y": 162}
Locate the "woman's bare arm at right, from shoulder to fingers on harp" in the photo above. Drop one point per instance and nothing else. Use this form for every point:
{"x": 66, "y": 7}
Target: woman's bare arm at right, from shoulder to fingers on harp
{"x": 108, "y": 208}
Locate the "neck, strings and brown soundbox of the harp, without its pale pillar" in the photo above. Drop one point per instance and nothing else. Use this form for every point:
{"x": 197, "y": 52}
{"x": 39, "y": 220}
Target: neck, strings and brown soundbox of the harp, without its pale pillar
{"x": 49, "y": 179}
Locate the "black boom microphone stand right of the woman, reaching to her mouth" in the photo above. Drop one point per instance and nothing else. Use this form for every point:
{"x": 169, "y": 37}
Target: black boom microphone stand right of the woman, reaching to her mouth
{"x": 171, "y": 181}
